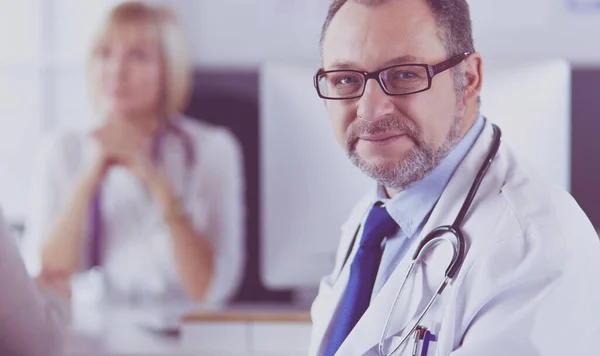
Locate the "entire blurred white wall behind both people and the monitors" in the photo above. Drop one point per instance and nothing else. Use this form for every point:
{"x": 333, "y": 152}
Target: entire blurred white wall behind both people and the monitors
{"x": 43, "y": 44}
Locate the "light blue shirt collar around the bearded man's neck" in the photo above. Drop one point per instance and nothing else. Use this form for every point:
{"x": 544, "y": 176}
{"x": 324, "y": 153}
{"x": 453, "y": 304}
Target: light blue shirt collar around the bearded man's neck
{"x": 411, "y": 207}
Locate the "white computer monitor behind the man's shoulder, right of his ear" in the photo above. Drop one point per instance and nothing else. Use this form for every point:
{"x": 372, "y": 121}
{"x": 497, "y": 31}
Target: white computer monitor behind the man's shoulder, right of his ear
{"x": 531, "y": 102}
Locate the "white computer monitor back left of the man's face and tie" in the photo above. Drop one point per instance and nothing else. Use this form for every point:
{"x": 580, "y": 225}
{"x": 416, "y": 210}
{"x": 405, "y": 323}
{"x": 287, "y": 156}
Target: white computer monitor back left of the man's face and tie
{"x": 308, "y": 186}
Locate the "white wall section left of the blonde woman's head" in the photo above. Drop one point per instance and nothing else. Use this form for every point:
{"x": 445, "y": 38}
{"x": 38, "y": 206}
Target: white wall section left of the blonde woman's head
{"x": 42, "y": 47}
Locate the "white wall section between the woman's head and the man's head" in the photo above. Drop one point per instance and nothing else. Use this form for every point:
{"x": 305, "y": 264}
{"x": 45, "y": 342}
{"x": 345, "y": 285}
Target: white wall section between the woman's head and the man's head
{"x": 248, "y": 32}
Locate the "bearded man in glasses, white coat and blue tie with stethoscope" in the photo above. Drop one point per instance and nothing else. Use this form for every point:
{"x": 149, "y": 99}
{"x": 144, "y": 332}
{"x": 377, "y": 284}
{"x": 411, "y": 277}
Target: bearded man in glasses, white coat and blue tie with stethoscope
{"x": 401, "y": 81}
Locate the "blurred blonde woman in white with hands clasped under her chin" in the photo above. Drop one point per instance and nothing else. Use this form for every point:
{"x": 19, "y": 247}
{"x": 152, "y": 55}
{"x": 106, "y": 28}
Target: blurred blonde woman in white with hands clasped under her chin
{"x": 152, "y": 197}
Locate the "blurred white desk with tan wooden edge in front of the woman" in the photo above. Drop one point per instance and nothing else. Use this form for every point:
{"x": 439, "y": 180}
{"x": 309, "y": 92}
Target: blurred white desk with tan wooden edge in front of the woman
{"x": 231, "y": 331}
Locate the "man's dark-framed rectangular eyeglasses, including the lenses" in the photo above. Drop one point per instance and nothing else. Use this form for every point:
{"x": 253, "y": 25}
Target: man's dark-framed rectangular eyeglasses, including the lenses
{"x": 401, "y": 79}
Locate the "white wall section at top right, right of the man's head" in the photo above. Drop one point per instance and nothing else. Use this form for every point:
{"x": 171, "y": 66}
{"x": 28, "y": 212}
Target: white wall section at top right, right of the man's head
{"x": 540, "y": 29}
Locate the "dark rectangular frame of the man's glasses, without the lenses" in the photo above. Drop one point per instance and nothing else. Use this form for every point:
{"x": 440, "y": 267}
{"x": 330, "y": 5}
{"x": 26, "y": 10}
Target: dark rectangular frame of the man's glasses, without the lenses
{"x": 432, "y": 71}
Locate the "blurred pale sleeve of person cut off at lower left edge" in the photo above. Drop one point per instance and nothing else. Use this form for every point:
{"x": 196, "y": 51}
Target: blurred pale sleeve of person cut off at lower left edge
{"x": 32, "y": 321}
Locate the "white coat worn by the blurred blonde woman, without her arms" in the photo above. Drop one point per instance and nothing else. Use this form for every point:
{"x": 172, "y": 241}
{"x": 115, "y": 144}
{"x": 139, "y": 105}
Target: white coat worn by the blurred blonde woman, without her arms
{"x": 137, "y": 258}
